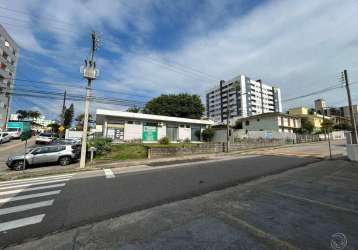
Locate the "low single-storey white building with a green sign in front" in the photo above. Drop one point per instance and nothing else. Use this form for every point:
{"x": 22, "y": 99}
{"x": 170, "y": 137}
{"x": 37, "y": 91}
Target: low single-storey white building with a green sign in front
{"x": 126, "y": 126}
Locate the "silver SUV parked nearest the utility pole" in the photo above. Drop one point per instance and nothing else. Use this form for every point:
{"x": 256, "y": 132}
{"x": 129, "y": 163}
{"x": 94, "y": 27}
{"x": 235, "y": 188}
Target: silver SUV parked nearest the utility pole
{"x": 61, "y": 154}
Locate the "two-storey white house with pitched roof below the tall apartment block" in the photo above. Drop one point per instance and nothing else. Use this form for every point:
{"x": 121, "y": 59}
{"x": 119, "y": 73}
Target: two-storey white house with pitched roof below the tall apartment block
{"x": 273, "y": 121}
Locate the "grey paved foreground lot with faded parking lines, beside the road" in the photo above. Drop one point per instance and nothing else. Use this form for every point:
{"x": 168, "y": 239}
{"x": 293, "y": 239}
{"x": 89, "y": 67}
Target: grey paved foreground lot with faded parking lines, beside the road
{"x": 300, "y": 209}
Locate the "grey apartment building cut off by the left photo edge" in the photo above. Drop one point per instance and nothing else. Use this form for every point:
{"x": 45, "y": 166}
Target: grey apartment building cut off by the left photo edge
{"x": 9, "y": 53}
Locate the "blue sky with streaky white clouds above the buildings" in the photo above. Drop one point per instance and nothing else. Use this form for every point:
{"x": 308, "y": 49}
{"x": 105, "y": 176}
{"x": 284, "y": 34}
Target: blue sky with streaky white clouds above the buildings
{"x": 153, "y": 47}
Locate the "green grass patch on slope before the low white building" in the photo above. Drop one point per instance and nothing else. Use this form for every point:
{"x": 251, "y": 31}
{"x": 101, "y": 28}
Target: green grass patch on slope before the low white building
{"x": 125, "y": 152}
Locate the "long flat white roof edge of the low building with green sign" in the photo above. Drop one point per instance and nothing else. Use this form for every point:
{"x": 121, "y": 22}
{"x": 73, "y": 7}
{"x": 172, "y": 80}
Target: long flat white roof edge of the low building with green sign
{"x": 140, "y": 116}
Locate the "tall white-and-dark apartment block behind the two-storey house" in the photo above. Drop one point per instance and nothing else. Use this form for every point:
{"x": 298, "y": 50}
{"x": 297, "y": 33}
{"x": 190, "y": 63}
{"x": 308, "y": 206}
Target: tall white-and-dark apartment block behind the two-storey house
{"x": 246, "y": 98}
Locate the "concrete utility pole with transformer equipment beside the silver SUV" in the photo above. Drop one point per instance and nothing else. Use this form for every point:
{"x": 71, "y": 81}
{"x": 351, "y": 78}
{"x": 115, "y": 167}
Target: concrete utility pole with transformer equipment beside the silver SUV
{"x": 89, "y": 72}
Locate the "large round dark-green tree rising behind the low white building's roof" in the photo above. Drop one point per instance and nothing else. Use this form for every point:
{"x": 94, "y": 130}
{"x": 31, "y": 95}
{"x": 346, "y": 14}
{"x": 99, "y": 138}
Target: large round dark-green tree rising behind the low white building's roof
{"x": 181, "y": 105}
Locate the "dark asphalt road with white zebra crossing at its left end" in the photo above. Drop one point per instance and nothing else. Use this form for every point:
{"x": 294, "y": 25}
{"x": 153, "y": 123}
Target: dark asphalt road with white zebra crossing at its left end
{"x": 63, "y": 202}
